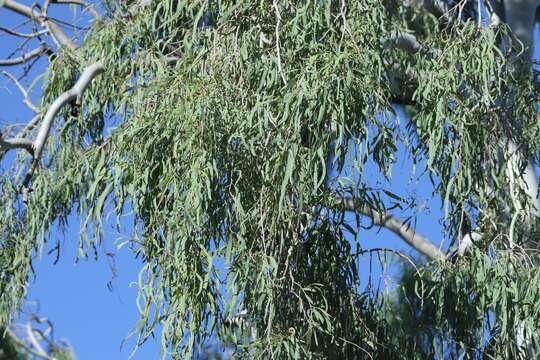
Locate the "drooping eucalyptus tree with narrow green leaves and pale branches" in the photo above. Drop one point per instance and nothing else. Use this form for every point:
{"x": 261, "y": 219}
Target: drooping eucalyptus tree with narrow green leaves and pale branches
{"x": 236, "y": 136}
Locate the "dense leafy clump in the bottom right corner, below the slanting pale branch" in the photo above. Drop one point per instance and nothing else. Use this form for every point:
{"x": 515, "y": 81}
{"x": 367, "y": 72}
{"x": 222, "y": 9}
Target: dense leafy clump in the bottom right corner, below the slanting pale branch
{"x": 490, "y": 301}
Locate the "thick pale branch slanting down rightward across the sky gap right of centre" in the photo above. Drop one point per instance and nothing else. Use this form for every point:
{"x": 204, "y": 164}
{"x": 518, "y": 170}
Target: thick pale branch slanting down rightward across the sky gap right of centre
{"x": 397, "y": 226}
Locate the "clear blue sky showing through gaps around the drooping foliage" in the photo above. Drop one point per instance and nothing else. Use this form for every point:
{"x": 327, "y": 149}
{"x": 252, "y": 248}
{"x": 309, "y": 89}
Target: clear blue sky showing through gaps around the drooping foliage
{"x": 75, "y": 295}
